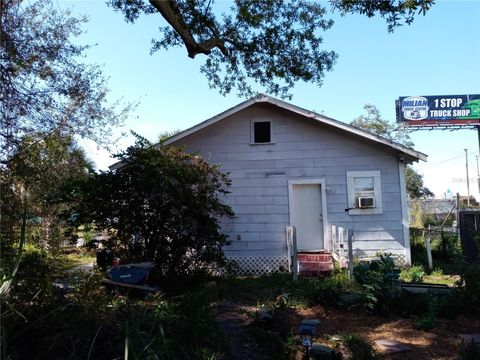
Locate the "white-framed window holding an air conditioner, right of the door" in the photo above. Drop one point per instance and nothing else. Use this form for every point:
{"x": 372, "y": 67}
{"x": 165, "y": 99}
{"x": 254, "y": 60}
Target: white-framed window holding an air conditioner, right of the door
{"x": 364, "y": 192}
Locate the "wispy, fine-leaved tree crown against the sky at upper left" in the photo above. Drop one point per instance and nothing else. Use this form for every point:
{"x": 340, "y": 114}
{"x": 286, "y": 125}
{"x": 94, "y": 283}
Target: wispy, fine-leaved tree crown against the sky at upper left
{"x": 44, "y": 86}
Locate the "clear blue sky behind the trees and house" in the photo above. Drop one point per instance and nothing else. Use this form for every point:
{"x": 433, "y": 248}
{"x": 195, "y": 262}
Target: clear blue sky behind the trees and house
{"x": 439, "y": 54}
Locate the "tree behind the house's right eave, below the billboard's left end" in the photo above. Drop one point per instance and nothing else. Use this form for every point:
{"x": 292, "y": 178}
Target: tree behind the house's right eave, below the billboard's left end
{"x": 376, "y": 124}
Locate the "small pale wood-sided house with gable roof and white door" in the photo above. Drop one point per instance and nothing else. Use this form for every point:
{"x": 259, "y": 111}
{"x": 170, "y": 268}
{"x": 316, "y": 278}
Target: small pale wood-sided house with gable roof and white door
{"x": 291, "y": 166}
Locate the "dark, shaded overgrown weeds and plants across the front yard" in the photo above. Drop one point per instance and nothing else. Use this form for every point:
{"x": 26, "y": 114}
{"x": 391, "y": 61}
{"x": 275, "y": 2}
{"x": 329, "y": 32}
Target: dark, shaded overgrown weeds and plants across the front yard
{"x": 89, "y": 322}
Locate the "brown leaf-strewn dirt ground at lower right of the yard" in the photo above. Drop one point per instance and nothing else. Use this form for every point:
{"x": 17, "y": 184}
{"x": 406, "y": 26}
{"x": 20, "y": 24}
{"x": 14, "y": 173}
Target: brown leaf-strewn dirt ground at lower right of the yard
{"x": 440, "y": 343}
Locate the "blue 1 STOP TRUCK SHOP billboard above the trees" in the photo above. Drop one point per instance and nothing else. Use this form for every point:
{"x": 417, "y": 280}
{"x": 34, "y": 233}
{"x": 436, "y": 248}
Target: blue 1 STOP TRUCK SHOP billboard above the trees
{"x": 442, "y": 110}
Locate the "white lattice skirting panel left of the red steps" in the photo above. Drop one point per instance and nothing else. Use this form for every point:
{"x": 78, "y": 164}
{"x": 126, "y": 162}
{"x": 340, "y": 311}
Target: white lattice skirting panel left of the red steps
{"x": 260, "y": 265}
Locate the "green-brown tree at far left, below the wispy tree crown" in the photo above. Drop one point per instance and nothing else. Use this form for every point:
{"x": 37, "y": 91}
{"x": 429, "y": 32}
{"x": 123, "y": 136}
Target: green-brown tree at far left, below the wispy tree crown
{"x": 41, "y": 164}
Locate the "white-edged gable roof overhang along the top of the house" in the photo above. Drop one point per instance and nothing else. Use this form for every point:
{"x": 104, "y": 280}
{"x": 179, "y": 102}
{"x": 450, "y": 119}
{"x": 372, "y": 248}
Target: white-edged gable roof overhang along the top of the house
{"x": 409, "y": 154}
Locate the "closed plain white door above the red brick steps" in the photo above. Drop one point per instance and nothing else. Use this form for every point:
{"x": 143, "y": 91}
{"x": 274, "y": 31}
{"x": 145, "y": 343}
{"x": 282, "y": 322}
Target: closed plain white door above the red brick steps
{"x": 306, "y": 215}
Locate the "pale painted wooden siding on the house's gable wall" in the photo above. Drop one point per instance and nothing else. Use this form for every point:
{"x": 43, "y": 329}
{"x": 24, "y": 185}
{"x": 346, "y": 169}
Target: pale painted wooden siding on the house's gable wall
{"x": 303, "y": 149}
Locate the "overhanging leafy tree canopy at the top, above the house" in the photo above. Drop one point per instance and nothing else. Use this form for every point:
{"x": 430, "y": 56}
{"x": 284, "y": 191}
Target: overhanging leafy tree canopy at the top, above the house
{"x": 273, "y": 42}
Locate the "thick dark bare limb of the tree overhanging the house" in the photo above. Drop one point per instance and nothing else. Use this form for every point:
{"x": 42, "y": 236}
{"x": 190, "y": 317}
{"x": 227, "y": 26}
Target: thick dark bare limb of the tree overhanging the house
{"x": 171, "y": 13}
